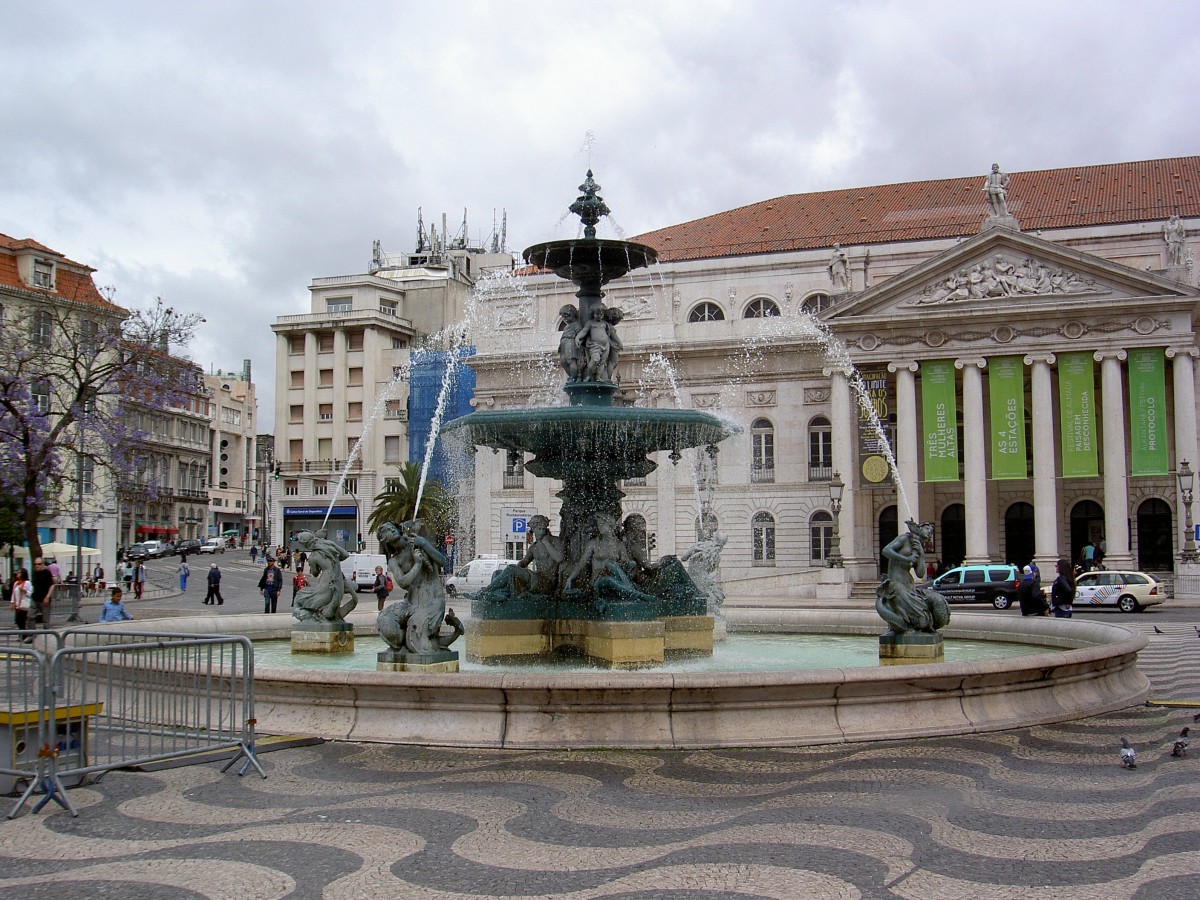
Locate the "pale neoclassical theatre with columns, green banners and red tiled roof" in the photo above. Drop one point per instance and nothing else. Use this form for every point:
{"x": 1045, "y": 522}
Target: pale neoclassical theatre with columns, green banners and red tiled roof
{"x": 1025, "y": 343}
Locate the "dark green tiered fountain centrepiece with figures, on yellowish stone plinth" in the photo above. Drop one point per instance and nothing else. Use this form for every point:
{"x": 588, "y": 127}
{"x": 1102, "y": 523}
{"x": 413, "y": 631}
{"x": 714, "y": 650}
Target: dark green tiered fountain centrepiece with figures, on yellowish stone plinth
{"x": 596, "y": 592}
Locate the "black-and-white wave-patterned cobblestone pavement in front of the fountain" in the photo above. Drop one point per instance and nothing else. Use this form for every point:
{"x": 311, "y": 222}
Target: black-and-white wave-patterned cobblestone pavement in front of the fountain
{"x": 1035, "y": 813}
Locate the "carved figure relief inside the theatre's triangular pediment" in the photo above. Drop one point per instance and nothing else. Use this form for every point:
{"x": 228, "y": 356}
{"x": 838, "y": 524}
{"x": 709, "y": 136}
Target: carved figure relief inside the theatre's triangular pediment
{"x": 1004, "y": 277}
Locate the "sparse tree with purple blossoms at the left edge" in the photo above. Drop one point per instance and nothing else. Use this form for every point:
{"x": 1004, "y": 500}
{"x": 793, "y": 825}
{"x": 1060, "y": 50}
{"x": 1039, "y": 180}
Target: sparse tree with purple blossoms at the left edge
{"x": 69, "y": 374}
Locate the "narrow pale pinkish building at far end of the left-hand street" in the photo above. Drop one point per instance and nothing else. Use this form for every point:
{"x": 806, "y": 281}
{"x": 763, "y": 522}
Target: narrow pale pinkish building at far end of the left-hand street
{"x": 232, "y": 481}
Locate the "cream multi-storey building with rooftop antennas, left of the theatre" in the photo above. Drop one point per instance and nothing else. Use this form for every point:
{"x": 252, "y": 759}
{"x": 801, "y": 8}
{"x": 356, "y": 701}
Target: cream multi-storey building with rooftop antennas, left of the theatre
{"x": 343, "y": 380}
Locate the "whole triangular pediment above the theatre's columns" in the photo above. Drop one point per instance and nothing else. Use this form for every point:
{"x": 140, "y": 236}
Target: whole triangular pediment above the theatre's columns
{"x": 999, "y": 269}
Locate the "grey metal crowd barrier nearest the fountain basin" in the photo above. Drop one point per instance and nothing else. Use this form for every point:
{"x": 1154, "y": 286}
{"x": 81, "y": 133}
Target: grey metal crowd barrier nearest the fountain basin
{"x": 118, "y": 699}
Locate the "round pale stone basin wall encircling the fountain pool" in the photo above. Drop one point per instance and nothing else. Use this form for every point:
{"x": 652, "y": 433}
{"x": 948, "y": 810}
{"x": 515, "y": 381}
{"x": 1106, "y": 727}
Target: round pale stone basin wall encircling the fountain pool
{"x": 1094, "y": 673}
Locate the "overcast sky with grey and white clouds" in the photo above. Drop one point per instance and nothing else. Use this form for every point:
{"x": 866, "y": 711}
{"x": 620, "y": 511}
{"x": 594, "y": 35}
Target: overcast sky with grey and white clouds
{"x": 223, "y": 155}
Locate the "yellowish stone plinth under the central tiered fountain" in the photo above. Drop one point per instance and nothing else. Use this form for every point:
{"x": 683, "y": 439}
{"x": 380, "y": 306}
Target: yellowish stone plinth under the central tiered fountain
{"x": 611, "y": 645}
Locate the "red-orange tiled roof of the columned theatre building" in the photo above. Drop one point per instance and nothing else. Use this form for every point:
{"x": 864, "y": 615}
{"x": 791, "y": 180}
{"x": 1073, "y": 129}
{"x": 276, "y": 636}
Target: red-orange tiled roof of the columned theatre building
{"x": 1051, "y": 199}
